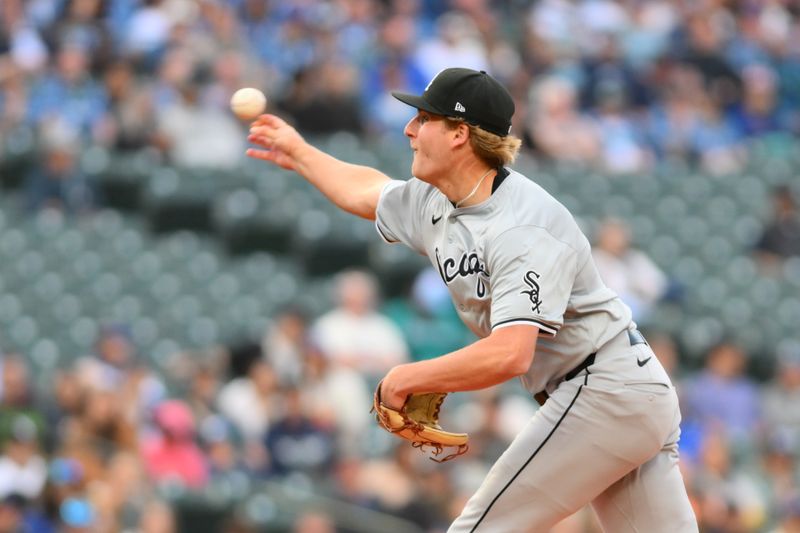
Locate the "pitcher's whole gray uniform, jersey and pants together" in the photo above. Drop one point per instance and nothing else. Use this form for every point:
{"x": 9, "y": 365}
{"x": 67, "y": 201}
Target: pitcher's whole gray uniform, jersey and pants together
{"x": 608, "y": 433}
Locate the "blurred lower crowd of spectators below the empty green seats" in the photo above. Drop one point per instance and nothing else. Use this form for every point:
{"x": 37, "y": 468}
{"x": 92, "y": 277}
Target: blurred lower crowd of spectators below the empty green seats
{"x": 107, "y": 443}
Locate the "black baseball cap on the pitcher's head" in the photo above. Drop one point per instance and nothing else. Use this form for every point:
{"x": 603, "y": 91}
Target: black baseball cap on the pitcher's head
{"x": 468, "y": 94}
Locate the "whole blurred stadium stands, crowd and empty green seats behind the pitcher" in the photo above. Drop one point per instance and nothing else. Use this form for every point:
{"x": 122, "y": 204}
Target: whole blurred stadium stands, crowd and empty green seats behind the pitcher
{"x": 190, "y": 339}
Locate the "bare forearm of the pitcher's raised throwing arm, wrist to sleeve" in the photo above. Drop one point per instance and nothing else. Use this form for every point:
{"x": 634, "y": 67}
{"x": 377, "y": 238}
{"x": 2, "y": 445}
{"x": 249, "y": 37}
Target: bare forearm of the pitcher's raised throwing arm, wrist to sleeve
{"x": 353, "y": 188}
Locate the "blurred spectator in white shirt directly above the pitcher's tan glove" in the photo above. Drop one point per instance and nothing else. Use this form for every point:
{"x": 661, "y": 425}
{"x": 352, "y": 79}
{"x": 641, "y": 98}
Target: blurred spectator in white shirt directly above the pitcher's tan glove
{"x": 354, "y": 334}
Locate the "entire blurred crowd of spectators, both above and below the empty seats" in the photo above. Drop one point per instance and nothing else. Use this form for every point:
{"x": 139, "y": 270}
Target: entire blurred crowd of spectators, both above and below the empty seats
{"x": 105, "y": 444}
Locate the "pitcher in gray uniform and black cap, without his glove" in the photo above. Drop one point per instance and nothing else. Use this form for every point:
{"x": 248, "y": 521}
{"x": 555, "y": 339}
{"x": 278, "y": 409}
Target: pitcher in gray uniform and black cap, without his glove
{"x": 522, "y": 278}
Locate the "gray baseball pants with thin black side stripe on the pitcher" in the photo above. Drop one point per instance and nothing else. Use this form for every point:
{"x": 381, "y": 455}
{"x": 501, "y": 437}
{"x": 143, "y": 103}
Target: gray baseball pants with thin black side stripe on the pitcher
{"x": 609, "y": 437}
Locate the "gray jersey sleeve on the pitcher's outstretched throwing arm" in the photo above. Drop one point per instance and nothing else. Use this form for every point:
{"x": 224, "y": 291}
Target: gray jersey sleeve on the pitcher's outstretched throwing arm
{"x": 398, "y": 213}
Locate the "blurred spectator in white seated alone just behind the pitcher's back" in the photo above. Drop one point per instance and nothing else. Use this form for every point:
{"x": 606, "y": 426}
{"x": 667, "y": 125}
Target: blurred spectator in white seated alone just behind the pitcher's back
{"x": 628, "y": 271}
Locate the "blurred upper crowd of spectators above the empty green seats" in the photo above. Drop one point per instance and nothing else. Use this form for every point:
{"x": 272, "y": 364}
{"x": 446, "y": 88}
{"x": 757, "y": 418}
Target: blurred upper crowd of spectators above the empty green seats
{"x": 619, "y": 85}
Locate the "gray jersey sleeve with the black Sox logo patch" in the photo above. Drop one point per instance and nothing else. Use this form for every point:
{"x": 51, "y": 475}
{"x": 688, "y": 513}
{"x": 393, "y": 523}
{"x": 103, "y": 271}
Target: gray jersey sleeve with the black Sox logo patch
{"x": 532, "y": 274}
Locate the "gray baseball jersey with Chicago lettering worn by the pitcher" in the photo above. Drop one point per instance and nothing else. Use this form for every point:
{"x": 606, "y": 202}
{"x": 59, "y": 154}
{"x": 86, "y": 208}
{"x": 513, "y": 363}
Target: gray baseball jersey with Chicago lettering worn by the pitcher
{"x": 517, "y": 258}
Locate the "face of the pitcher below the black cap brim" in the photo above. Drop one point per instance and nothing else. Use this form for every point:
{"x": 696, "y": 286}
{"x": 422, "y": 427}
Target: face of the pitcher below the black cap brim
{"x": 431, "y": 142}
